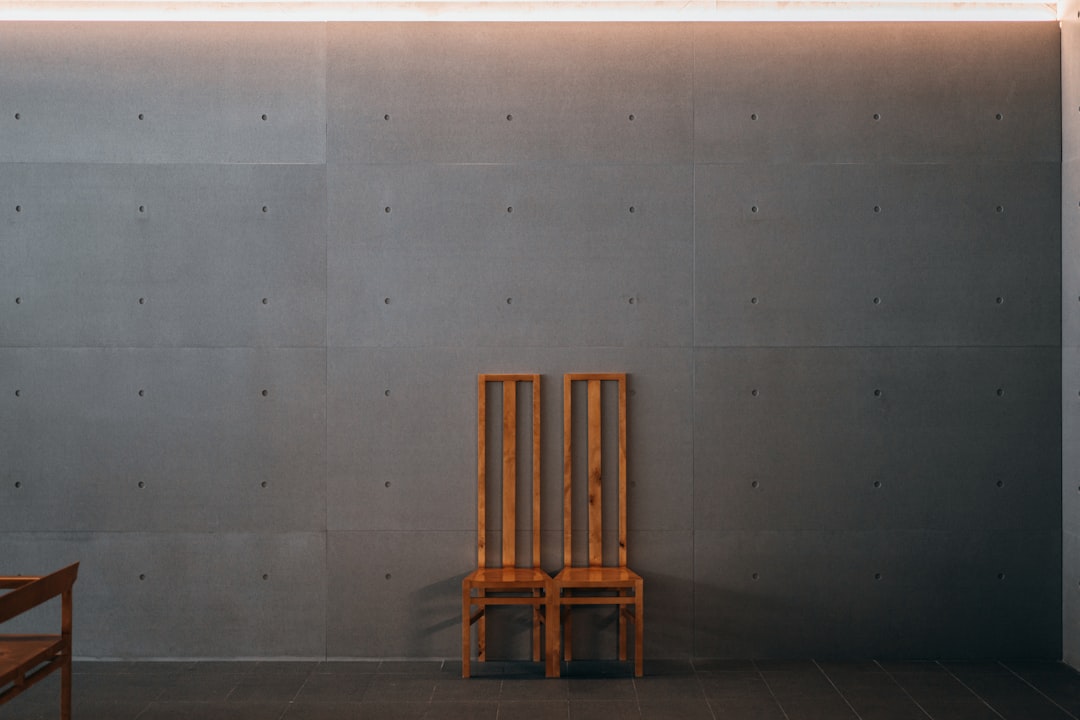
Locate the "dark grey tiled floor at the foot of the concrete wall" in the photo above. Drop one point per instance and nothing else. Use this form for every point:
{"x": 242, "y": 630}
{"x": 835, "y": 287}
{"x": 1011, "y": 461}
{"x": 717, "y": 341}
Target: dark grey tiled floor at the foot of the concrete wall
{"x": 737, "y": 690}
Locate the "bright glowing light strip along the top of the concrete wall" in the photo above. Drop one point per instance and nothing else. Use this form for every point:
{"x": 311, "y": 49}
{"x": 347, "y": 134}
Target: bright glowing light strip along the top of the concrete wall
{"x": 526, "y": 10}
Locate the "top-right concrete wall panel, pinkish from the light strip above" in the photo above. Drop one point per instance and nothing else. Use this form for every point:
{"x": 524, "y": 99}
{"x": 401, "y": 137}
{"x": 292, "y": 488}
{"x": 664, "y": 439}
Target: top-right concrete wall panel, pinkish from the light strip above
{"x": 890, "y": 92}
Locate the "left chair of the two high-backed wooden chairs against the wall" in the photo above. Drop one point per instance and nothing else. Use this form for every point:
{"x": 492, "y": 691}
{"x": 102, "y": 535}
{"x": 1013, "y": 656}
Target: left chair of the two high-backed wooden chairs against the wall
{"x": 509, "y": 583}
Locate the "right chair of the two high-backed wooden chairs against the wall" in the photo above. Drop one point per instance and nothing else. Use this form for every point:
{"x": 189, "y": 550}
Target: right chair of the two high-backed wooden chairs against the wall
{"x": 597, "y": 583}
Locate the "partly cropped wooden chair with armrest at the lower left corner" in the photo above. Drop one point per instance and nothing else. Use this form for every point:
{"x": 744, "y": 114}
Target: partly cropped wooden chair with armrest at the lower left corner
{"x": 26, "y": 660}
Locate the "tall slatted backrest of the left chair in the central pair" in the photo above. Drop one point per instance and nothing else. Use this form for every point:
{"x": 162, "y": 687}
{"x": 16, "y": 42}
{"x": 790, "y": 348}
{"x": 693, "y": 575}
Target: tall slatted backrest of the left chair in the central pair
{"x": 510, "y": 464}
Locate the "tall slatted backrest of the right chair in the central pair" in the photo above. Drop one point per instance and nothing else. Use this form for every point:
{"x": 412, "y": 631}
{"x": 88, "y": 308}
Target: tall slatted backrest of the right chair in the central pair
{"x": 595, "y": 465}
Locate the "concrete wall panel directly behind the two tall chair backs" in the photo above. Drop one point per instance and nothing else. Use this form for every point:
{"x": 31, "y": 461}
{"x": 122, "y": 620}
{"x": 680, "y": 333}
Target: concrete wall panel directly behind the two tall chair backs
{"x": 422, "y": 438}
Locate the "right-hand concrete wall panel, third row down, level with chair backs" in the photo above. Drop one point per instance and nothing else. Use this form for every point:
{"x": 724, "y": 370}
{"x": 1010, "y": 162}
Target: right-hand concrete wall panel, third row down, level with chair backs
{"x": 892, "y": 439}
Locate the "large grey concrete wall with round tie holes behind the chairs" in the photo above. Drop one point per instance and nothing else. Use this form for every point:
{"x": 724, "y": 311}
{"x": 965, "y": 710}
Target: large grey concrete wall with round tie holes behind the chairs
{"x": 251, "y": 274}
